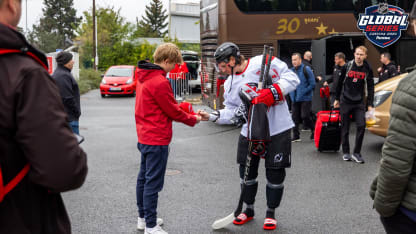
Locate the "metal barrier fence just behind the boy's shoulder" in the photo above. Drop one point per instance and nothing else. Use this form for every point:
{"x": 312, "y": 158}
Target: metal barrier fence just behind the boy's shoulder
{"x": 180, "y": 85}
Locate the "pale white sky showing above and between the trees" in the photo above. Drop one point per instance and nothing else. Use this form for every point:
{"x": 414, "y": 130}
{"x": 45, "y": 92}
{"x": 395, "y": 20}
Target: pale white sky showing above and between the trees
{"x": 130, "y": 9}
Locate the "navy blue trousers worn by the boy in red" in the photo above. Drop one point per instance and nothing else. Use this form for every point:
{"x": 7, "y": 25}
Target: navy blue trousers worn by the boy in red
{"x": 150, "y": 180}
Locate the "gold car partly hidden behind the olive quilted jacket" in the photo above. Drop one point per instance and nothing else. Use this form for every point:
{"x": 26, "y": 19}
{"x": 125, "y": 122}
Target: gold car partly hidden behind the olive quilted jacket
{"x": 383, "y": 93}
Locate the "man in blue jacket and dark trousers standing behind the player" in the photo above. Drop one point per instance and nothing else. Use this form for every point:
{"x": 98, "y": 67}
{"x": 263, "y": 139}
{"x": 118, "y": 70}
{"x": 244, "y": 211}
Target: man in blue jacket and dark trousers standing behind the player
{"x": 302, "y": 97}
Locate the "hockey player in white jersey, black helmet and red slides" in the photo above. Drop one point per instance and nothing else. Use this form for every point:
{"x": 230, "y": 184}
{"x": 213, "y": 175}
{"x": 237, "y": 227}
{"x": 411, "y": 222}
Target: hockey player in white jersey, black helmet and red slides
{"x": 245, "y": 73}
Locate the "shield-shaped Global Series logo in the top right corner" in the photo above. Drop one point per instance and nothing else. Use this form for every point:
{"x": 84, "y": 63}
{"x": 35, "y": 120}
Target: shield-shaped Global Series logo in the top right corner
{"x": 382, "y": 24}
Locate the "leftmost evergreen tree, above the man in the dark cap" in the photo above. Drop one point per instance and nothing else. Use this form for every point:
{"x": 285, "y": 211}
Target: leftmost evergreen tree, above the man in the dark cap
{"x": 56, "y": 26}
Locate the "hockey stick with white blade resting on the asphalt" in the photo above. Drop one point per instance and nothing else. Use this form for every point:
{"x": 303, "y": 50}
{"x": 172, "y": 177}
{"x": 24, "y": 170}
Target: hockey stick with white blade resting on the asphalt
{"x": 221, "y": 223}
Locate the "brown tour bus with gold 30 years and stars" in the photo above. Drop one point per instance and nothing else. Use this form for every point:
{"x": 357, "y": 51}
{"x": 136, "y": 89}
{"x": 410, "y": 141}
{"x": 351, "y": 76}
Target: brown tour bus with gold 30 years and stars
{"x": 322, "y": 26}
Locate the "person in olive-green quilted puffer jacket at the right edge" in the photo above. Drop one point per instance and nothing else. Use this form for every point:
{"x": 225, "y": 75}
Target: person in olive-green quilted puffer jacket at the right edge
{"x": 394, "y": 188}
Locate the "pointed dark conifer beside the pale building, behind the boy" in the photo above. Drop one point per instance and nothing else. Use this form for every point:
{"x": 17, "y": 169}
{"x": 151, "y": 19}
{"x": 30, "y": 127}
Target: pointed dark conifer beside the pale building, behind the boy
{"x": 153, "y": 22}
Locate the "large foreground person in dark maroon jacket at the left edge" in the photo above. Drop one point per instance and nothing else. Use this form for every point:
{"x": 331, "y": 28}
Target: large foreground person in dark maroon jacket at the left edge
{"x": 34, "y": 133}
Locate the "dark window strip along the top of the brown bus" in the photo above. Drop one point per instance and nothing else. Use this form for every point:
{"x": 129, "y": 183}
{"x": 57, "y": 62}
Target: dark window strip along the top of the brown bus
{"x": 270, "y": 6}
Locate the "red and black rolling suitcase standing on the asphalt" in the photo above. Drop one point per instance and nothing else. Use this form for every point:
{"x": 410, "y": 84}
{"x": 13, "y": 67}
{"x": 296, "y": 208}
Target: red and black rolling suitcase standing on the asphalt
{"x": 328, "y": 131}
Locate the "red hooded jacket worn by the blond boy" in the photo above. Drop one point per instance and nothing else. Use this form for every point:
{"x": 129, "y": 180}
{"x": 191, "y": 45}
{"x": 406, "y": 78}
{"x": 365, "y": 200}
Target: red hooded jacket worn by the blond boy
{"x": 156, "y": 107}
